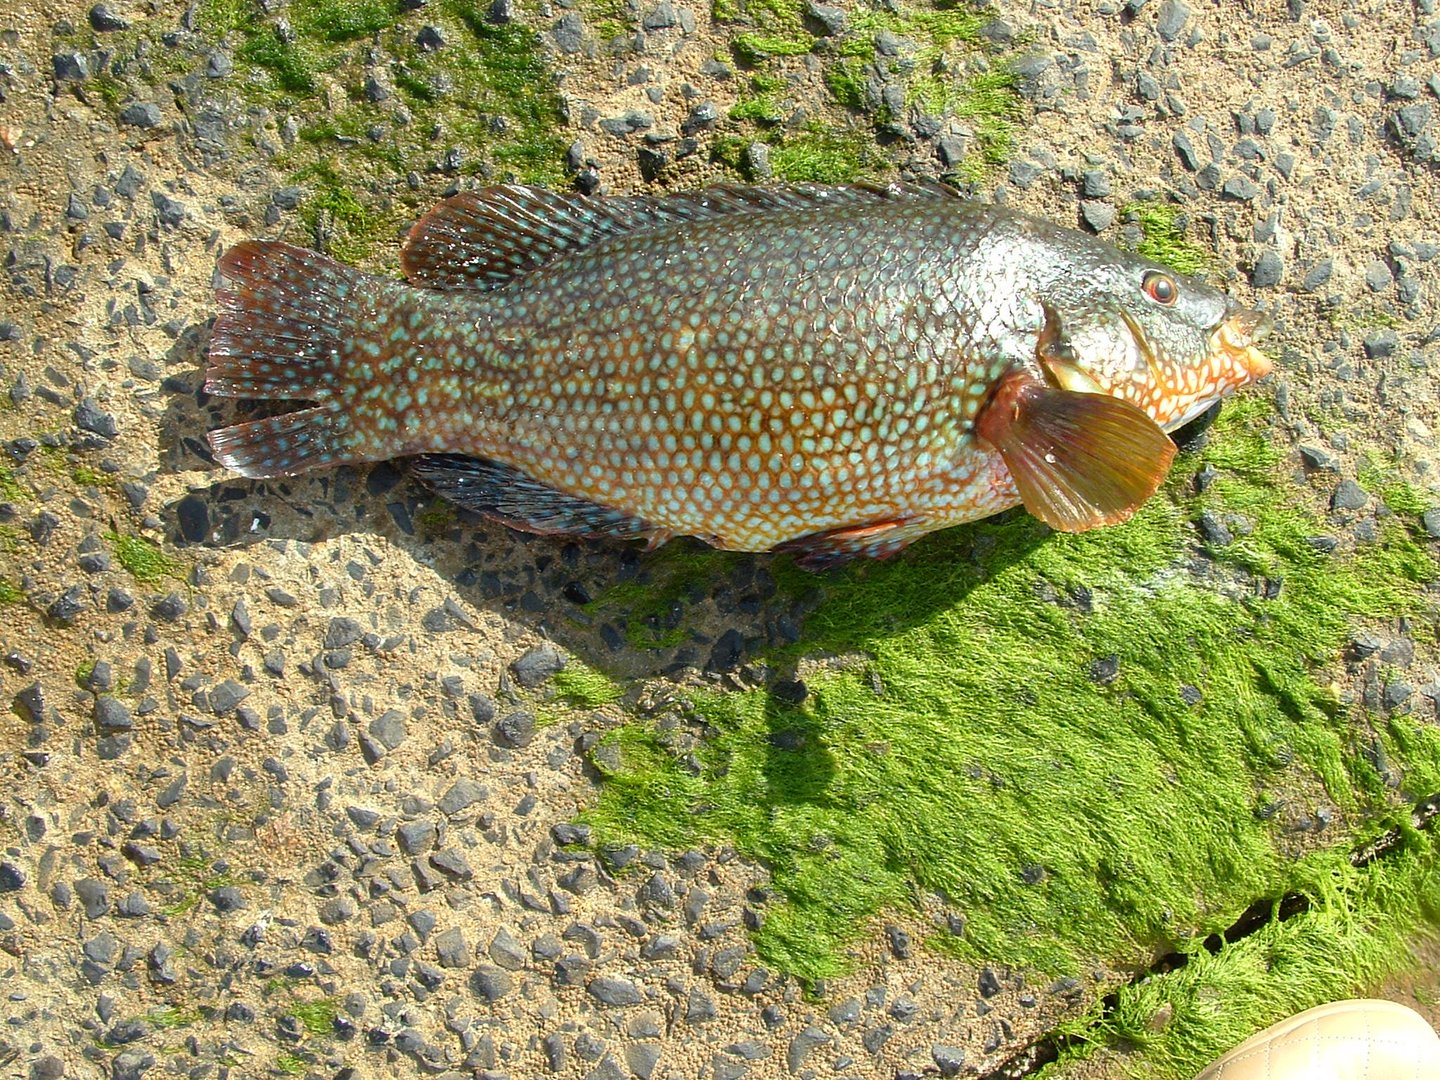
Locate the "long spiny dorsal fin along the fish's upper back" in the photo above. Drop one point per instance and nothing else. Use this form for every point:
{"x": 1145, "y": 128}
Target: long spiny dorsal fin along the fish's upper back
{"x": 483, "y": 240}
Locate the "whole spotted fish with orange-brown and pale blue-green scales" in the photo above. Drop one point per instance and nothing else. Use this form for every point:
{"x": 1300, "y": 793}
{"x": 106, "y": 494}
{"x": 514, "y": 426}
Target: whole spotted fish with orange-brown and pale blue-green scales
{"x": 829, "y": 371}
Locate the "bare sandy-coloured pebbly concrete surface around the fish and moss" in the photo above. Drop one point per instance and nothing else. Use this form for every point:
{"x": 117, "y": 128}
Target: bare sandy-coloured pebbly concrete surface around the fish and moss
{"x": 287, "y": 777}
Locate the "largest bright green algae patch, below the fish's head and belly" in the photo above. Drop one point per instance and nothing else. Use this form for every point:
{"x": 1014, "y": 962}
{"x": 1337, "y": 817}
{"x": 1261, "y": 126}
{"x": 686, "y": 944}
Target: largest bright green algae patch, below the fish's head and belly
{"x": 1071, "y": 741}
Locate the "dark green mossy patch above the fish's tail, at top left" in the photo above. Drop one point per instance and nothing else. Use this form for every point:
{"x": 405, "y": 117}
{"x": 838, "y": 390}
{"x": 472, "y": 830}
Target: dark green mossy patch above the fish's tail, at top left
{"x": 482, "y": 103}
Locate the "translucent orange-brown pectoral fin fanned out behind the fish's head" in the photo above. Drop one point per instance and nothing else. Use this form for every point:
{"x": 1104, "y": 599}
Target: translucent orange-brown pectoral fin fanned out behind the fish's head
{"x": 1079, "y": 460}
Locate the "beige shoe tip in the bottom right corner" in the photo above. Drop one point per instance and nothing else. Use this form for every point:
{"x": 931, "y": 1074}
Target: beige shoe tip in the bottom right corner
{"x": 1346, "y": 1040}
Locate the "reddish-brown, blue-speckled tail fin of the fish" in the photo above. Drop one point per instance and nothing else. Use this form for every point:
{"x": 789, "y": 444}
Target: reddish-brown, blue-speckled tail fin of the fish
{"x": 296, "y": 325}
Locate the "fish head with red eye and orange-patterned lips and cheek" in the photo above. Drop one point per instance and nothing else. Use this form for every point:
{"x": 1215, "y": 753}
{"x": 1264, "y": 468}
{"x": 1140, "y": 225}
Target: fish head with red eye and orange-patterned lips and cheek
{"x": 1164, "y": 342}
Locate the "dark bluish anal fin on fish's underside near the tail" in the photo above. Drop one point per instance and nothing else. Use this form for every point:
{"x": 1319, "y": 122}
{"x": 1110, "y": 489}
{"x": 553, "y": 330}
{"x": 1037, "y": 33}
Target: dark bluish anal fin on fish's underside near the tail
{"x": 522, "y": 502}
